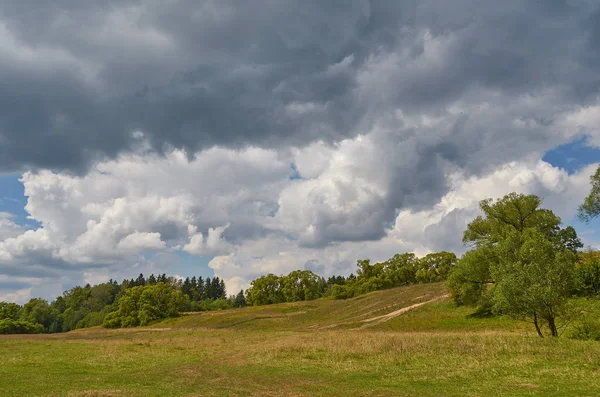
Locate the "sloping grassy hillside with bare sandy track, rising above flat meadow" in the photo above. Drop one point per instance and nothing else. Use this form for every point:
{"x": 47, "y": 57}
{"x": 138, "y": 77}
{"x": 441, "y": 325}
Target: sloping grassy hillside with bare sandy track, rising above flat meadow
{"x": 423, "y": 307}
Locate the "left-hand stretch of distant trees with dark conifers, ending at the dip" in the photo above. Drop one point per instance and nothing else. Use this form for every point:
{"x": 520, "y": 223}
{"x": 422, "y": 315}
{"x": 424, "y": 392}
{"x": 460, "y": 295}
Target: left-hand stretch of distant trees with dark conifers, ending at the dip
{"x": 132, "y": 302}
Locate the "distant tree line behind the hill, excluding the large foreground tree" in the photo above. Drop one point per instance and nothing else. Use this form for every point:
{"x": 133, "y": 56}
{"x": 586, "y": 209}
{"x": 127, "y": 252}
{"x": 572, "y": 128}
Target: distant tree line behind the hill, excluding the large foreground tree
{"x": 141, "y": 301}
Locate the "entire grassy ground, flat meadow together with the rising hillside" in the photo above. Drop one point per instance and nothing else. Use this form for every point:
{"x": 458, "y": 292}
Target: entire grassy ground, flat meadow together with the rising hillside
{"x": 319, "y": 348}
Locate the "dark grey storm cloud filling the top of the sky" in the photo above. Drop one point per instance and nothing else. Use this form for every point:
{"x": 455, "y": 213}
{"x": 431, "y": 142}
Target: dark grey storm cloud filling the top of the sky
{"x": 77, "y": 78}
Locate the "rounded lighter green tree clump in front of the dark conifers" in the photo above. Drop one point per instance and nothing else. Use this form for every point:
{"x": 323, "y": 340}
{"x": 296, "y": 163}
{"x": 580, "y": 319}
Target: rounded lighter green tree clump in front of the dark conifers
{"x": 143, "y": 305}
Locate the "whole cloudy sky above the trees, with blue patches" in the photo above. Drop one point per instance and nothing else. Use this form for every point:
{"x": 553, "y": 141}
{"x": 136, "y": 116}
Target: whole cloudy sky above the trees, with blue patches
{"x": 233, "y": 139}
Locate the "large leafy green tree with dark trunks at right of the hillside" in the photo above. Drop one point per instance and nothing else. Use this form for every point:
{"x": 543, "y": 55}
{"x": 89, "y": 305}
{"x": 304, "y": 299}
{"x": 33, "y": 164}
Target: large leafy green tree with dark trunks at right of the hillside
{"x": 521, "y": 262}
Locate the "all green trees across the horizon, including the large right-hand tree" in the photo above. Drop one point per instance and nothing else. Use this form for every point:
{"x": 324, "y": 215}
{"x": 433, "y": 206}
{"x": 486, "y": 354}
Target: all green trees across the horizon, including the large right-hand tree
{"x": 521, "y": 263}
